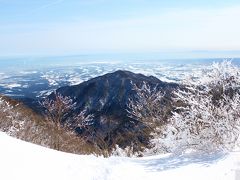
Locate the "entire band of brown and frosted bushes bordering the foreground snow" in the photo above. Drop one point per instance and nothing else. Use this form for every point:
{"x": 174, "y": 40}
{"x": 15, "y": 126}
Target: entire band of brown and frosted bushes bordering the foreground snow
{"x": 202, "y": 115}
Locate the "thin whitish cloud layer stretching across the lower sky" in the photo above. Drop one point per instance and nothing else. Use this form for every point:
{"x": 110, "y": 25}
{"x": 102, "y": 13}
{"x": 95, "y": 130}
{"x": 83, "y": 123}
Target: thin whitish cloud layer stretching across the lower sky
{"x": 176, "y": 29}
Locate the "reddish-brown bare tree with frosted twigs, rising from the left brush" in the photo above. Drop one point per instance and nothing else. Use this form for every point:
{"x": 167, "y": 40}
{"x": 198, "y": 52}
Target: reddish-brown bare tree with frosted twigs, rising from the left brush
{"x": 59, "y": 113}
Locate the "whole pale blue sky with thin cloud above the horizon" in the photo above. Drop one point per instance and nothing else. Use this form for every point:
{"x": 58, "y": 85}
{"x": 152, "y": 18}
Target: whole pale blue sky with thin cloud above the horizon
{"x": 65, "y": 27}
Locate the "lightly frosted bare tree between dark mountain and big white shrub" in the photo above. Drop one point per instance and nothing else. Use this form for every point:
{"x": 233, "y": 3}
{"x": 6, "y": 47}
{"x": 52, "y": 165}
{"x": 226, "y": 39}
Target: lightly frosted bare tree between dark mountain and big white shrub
{"x": 149, "y": 109}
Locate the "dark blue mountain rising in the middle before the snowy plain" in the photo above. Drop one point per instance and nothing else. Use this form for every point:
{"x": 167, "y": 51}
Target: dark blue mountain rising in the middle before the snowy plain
{"x": 107, "y": 97}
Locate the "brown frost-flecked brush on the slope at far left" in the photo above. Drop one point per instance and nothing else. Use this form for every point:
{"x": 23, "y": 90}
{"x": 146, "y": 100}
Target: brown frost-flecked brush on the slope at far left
{"x": 19, "y": 121}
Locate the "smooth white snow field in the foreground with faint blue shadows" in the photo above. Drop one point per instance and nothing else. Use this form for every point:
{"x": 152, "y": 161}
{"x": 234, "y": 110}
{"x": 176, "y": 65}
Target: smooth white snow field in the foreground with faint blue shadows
{"x": 22, "y": 160}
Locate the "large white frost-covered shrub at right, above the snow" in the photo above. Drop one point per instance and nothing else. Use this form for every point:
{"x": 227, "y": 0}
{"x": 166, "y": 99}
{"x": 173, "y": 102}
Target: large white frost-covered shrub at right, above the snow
{"x": 207, "y": 113}
